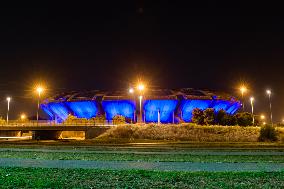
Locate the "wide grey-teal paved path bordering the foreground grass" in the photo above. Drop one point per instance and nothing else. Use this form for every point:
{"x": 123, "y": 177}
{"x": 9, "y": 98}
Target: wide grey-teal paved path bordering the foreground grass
{"x": 161, "y": 166}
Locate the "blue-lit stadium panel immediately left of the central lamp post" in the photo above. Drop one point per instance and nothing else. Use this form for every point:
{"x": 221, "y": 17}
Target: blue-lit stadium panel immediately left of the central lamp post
{"x": 112, "y": 108}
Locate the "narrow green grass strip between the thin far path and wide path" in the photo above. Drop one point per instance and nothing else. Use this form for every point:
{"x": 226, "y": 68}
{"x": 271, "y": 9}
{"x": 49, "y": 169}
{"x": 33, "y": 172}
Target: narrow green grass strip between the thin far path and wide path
{"x": 142, "y": 157}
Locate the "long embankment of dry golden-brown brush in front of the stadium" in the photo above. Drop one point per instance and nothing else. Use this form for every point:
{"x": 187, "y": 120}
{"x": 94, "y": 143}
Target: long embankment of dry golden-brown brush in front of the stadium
{"x": 184, "y": 132}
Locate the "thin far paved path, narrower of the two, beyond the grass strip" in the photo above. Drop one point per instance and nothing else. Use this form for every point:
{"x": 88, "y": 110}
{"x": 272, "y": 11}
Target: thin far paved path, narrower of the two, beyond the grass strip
{"x": 181, "y": 152}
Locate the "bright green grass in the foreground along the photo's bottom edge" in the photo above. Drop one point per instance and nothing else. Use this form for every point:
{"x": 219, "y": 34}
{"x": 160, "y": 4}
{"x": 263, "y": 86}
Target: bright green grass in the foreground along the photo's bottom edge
{"x": 79, "y": 178}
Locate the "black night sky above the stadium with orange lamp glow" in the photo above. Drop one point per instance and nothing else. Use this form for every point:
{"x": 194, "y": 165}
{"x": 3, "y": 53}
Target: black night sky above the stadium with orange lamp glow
{"x": 170, "y": 44}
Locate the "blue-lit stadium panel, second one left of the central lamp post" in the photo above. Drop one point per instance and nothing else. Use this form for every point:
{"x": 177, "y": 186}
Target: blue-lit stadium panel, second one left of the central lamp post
{"x": 83, "y": 109}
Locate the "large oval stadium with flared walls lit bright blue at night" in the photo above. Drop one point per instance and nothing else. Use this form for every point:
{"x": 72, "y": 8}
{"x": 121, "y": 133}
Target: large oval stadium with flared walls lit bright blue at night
{"x": 155, "y": 105}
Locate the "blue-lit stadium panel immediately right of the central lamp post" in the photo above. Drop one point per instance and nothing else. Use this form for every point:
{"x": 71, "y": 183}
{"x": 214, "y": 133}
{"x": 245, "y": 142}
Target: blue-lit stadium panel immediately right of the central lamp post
{"x": 166, "y": 108}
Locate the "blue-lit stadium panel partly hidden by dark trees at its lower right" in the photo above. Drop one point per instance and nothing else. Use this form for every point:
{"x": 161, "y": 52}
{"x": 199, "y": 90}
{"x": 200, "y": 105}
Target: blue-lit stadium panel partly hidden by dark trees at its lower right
{"x": 187, "y": 106}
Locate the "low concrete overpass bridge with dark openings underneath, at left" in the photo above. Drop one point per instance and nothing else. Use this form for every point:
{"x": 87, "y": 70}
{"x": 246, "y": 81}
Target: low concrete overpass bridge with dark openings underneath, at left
{"x": 48, "y": 131}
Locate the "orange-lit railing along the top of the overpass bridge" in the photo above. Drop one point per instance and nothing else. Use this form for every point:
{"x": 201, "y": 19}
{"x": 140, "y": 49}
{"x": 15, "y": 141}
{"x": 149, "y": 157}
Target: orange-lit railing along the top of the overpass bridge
{"x": 53, "y": 123}
